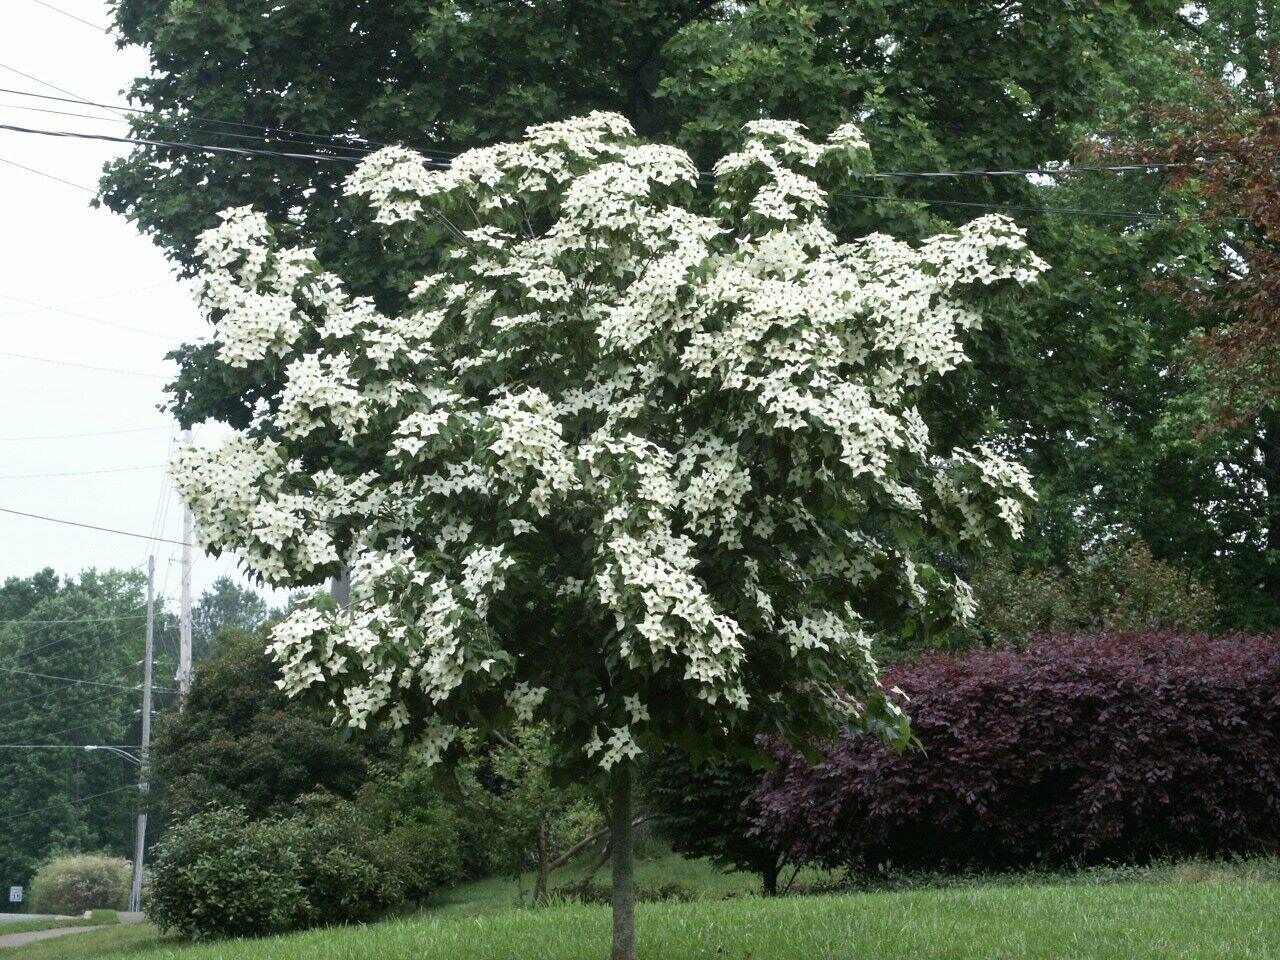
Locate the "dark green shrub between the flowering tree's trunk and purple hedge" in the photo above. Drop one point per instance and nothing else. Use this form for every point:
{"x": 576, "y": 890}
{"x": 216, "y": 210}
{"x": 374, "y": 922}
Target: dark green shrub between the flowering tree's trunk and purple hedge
{"x": 698, "y": 810}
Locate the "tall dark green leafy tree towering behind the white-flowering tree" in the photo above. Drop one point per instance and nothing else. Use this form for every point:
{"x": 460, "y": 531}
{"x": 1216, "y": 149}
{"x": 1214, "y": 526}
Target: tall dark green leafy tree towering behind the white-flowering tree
{"x": 1075, "y": 381}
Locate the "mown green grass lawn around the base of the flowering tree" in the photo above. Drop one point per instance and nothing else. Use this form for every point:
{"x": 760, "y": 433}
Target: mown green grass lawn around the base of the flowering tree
{"x": 1195, "y": 918}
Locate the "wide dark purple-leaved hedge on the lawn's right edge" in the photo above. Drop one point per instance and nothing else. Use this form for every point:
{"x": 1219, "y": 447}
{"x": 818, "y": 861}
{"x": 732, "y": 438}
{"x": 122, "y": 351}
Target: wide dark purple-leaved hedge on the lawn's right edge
{"x": 1078, "y": 749}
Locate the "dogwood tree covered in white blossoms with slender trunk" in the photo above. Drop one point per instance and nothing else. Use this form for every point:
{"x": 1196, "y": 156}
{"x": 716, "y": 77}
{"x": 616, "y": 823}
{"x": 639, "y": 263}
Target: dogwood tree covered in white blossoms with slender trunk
{"x": 644, "y": 473}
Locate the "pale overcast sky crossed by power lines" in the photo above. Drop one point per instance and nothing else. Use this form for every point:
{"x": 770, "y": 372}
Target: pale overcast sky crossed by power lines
{"x": 125, "y": 310}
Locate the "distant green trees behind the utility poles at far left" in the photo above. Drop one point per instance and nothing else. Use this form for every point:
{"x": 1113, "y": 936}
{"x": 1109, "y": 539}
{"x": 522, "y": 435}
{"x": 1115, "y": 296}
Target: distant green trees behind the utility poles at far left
{"x": 70, "y": 652}
